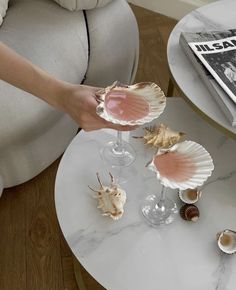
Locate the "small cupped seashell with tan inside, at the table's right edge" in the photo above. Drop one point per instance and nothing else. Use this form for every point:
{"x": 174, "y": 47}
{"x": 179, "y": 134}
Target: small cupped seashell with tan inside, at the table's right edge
{"x": 226, "y": 241}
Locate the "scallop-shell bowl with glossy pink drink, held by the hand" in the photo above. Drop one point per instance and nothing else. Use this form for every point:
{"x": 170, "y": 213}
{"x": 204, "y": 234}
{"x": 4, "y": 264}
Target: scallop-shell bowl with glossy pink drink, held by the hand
{"x": 131, "y": 105}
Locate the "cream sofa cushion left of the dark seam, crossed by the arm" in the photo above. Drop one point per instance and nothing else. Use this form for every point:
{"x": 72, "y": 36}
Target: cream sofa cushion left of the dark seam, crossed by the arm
{"x": 37, "y": 30}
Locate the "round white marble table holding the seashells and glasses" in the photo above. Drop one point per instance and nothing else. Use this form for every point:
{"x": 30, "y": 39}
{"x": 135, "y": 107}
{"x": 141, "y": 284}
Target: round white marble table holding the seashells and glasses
{"x": 128, "y": 254}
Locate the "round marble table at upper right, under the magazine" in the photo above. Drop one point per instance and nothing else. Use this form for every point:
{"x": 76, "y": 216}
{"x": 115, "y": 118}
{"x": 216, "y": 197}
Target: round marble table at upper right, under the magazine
{"x": 218, "y": 15}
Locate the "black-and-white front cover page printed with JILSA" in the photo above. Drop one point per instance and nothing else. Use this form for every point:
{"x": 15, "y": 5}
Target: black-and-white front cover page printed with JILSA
{"x": 217, "y": 52}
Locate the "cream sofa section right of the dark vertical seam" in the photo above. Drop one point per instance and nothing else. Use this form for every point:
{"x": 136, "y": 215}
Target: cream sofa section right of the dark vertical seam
{"x": 114, "y": 40}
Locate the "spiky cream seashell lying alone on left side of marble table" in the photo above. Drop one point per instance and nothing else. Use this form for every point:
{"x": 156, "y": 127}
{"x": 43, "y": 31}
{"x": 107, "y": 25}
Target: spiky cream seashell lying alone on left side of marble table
{"x": 111, "y": 199}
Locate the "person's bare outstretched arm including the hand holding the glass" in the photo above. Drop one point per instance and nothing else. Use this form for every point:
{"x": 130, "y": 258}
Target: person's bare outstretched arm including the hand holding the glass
{"x": 77, "y": 100}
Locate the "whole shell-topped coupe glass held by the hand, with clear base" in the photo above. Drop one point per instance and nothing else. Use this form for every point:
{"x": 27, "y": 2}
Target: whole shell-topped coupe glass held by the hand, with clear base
{"x": 128, "y": 105}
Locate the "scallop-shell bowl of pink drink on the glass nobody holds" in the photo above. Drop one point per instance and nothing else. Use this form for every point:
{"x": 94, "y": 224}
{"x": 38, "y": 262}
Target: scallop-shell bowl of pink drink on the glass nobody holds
{"x": 184, "y": 165}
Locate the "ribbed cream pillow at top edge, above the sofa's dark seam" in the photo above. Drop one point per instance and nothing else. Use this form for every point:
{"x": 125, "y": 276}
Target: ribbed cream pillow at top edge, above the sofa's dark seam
{"x": 82, "y": 4}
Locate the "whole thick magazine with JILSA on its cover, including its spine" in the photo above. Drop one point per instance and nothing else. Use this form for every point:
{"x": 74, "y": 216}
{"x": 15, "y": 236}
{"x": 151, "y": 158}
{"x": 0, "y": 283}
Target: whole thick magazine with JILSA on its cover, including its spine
{"x": 213, "y": 55}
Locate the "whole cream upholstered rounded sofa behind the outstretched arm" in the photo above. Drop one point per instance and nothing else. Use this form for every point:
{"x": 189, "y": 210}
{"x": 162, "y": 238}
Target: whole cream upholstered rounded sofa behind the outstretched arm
{"x": 33, "y": 134}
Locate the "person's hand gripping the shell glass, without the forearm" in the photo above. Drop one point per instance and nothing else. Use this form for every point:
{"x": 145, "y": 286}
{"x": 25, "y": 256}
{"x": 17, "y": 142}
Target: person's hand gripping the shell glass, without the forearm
{"x": 79, "y": 101}
